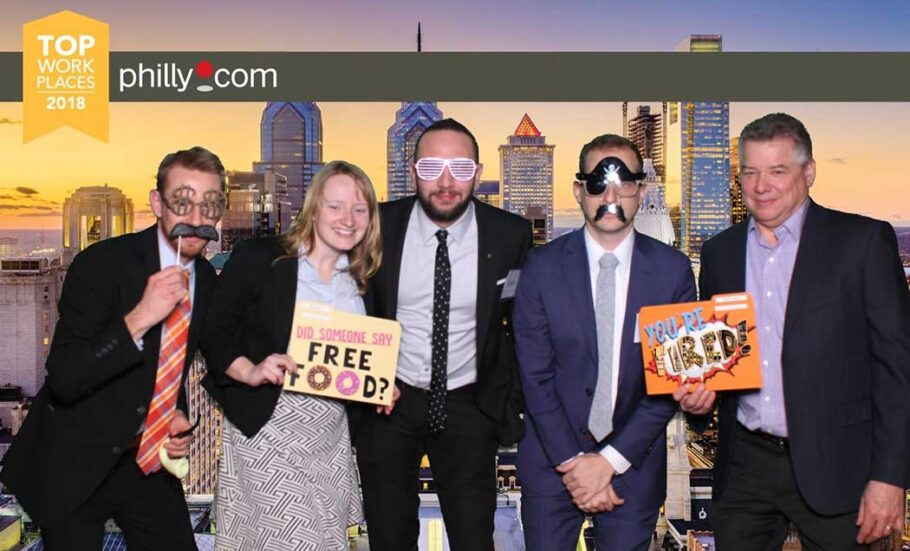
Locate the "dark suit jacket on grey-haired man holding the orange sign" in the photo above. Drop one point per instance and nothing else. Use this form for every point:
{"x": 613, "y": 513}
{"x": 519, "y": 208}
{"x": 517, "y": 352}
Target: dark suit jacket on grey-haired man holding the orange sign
{"x": 845, "y": 357}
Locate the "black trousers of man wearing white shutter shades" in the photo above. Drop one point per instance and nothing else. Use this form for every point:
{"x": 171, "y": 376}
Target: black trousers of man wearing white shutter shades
{"x": 462, "y": 459}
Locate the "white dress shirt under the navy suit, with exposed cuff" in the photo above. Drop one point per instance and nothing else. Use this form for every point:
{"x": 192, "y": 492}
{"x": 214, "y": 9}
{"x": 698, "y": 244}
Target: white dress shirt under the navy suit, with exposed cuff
{"x": 623, "y": 254}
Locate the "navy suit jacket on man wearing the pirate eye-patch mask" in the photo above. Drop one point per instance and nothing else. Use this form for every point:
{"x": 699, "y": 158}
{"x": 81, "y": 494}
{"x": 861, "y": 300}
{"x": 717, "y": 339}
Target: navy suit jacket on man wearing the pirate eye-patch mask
{"x": 556, "y": 337}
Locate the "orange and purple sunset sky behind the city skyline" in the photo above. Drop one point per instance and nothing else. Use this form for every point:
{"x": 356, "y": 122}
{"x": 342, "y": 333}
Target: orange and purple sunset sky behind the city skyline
{"x": 862, "y": 148}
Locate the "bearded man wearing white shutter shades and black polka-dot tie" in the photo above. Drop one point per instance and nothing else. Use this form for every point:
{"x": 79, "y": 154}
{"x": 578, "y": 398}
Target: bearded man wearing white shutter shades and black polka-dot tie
{"x": 446, "y": 261}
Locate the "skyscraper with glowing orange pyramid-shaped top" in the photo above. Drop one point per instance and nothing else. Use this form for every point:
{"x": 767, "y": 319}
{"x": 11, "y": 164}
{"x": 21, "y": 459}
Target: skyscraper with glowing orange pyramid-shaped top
{"x": 526, "y": 167}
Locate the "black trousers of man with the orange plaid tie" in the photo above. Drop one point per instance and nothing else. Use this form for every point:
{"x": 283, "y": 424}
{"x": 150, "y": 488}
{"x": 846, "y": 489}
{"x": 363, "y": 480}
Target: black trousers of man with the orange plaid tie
{"x": 150, "y": 510}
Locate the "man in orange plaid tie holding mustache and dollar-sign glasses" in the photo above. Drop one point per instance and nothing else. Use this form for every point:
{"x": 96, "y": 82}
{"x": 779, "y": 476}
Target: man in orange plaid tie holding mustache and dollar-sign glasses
{"x": 113, "y": 406}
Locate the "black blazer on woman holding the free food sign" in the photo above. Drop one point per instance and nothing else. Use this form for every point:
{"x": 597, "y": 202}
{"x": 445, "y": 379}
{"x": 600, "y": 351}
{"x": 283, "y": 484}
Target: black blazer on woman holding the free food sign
{"x": 251, "y": 314}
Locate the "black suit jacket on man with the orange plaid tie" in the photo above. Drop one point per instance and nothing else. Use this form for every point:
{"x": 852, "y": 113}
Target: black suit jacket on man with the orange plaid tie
{"x": 99, "y": 384}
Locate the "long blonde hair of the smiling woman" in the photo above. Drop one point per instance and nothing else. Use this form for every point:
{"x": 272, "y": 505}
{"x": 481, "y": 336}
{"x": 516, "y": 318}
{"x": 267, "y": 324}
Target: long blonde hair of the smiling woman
{"x": 366, "y": 257}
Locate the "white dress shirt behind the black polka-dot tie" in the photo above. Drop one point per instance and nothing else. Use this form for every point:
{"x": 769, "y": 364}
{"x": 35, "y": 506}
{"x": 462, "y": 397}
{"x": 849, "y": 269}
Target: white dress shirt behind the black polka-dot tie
{"x": 415, "y": 300}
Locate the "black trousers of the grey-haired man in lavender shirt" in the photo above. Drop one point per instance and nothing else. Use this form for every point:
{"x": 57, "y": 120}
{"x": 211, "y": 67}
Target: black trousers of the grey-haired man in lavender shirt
{"x": 761, "y": 498}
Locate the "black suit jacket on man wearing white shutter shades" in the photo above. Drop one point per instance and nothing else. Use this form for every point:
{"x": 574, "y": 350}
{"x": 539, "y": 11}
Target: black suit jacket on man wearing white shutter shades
{"x": 503, "y": 239}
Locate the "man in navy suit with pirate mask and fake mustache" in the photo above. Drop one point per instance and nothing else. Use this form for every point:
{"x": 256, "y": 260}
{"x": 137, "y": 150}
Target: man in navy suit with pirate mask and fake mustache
{"x": 594, "y": 440}
